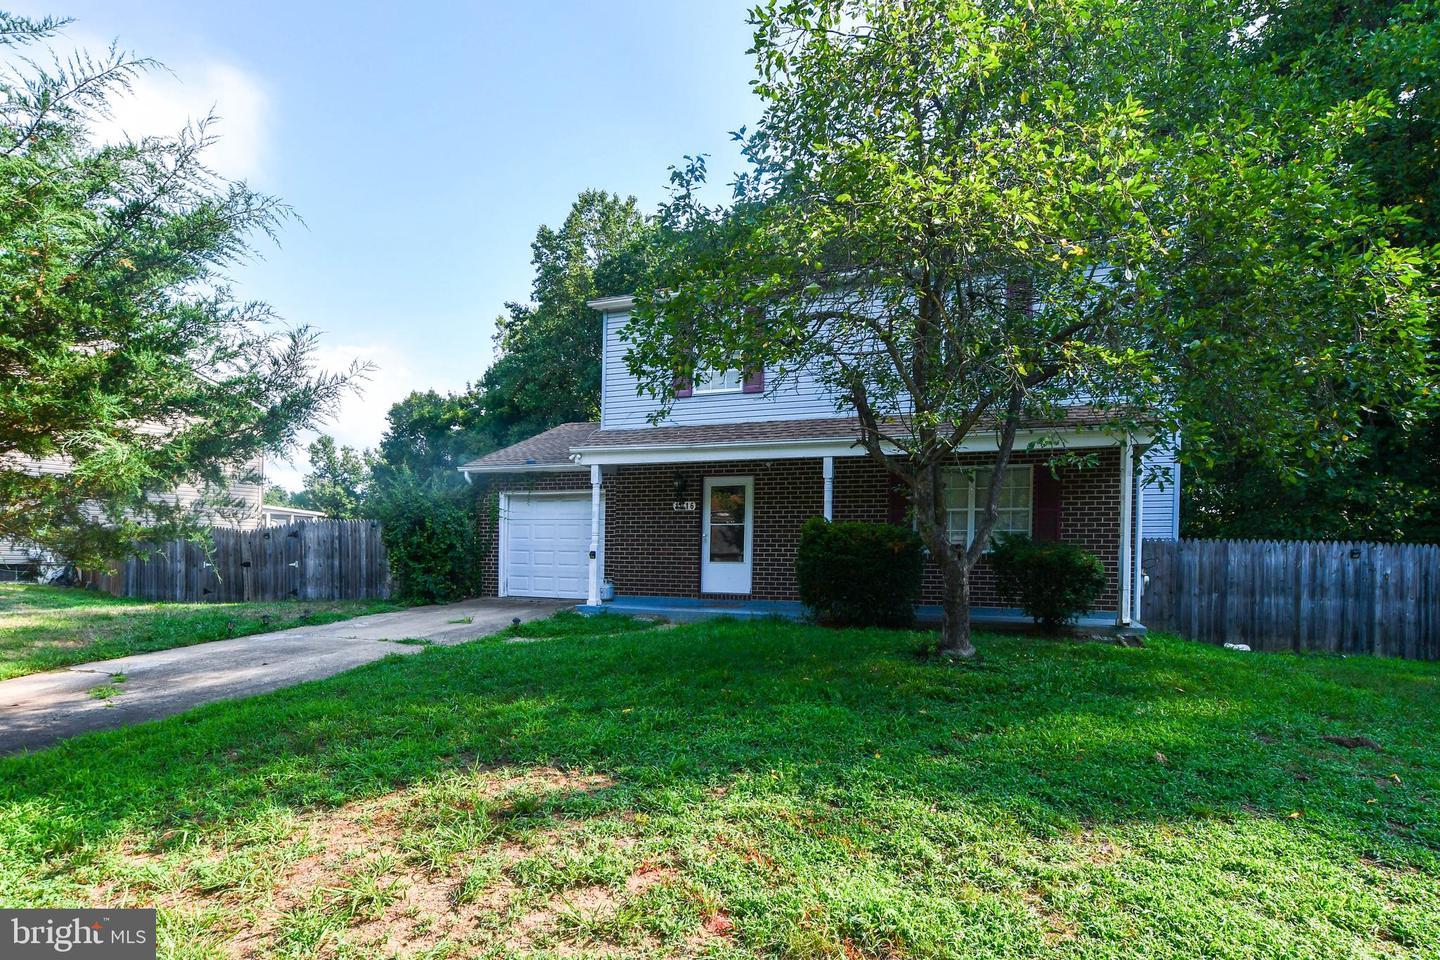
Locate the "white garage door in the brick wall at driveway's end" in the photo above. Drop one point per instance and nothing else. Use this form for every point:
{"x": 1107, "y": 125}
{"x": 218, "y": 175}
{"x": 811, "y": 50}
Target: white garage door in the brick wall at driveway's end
{"x": 548, "y": 546}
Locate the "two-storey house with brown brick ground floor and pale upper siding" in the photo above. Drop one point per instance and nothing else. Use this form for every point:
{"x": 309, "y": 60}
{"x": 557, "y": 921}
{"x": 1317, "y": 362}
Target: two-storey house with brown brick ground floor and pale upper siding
{"x": 705, "y": 510}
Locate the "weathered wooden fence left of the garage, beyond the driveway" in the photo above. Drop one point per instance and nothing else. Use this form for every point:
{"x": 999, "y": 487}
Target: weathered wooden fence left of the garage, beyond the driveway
{"x": 307, "y": 561}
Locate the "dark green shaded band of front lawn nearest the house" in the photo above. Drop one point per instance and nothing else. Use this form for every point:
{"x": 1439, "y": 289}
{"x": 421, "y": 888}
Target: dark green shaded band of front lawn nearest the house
{"x": 1053, "y": 735}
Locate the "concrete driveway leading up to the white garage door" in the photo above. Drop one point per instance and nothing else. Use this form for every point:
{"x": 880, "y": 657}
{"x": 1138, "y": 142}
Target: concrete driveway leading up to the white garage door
{"x": 44, "y": 709}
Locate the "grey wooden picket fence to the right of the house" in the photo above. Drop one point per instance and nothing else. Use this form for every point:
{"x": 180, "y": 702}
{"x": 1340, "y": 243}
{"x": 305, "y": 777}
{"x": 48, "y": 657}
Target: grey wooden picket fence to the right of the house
{"x": 1343, "y": 598}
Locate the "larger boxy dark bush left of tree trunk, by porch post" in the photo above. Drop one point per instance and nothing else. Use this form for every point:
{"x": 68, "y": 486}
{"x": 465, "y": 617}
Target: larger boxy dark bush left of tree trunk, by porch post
{"x": 859, "y": 575}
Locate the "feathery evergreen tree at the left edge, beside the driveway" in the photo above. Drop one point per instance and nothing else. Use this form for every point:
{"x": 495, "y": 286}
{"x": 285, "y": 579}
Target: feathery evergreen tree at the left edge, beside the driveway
{"x": 125, "y": 355}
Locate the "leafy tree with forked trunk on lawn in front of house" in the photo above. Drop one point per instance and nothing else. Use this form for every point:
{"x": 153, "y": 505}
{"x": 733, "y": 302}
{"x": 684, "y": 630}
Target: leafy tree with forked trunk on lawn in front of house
{"x": 961, "y": 214}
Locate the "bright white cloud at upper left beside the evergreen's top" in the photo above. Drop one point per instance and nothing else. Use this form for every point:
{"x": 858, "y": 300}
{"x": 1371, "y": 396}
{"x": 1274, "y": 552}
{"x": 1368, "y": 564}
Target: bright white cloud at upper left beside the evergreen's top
{"x": 163, "y": 103}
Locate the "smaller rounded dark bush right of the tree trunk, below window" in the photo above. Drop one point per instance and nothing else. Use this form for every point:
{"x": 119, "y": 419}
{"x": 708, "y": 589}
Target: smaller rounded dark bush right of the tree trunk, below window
{"x": 1052, "y": 582}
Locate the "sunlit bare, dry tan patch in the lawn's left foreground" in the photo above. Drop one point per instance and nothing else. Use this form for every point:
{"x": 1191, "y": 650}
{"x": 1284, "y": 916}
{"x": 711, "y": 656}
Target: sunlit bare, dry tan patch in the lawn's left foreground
{"x": 401, "y": 873}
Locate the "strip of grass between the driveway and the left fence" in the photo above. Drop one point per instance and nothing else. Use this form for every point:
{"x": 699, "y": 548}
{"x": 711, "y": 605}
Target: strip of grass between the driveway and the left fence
{"x": 47, "y": 628}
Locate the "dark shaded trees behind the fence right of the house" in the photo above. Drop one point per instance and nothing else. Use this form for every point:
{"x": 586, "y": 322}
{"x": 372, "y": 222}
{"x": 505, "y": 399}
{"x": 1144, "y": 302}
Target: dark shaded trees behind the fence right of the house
{"x": 1387, "y": 486}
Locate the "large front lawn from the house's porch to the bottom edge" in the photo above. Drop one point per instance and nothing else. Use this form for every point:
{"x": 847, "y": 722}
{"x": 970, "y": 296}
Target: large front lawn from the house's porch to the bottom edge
{"x": 762, "y": 791}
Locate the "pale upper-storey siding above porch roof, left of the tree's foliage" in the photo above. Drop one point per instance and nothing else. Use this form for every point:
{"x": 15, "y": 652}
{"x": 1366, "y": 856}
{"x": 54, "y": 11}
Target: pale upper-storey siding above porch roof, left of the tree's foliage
{"x": 800, "y": 398}
